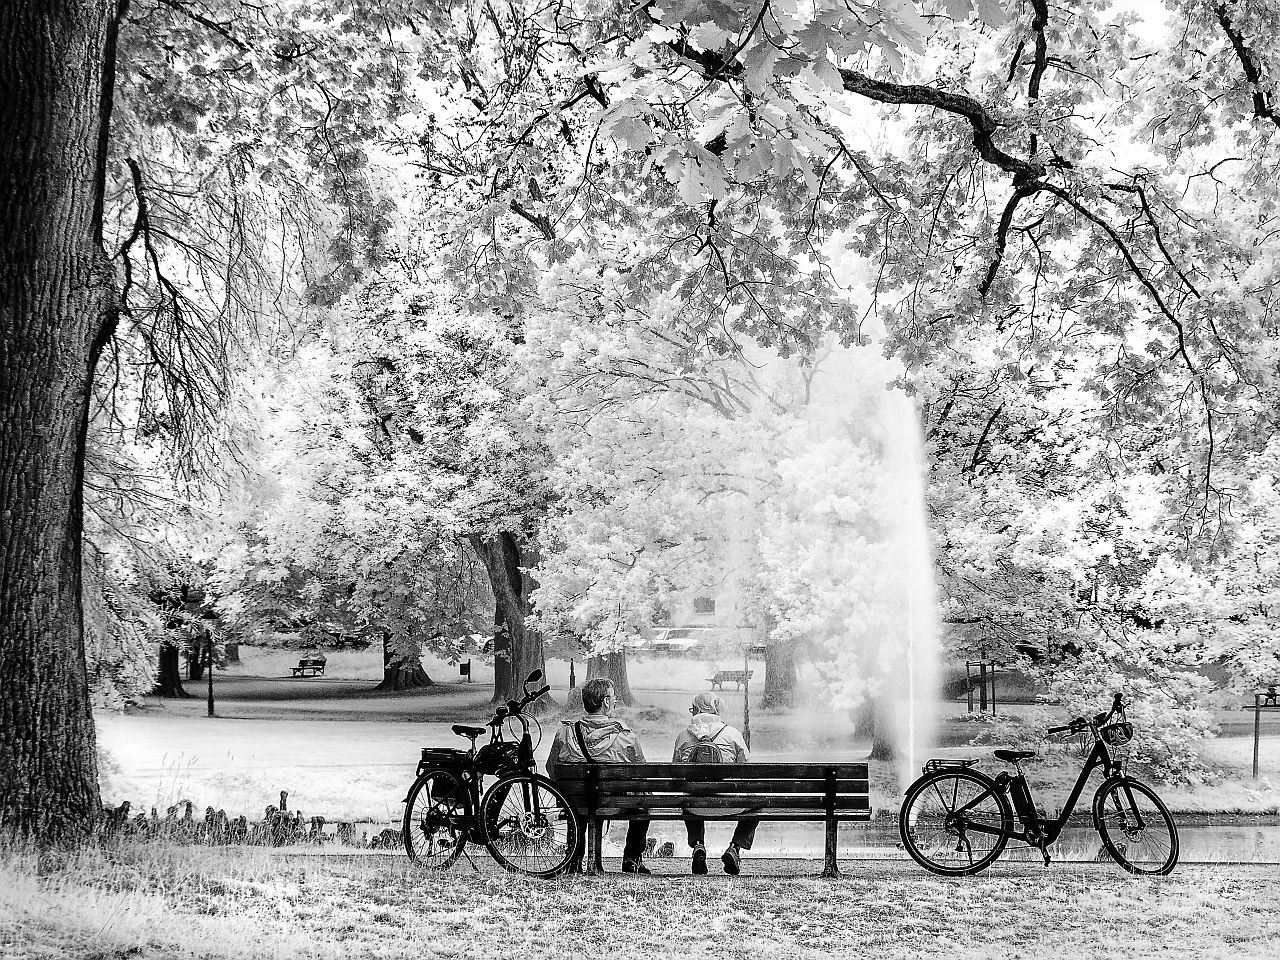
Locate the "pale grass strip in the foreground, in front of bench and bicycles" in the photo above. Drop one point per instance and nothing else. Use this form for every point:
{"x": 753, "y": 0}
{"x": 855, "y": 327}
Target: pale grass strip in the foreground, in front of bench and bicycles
{"x": 154, "y": 903}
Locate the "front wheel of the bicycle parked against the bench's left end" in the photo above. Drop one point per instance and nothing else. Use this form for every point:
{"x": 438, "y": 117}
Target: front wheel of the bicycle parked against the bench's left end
{"x": 531, "y": 826}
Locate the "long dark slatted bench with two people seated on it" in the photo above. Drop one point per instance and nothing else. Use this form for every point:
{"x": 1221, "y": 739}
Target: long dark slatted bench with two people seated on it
{"x": 825, "y": 793}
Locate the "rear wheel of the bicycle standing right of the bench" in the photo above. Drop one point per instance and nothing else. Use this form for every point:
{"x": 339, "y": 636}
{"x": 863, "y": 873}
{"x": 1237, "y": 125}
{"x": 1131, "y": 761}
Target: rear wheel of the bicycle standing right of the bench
{"x": 929, "y": 826}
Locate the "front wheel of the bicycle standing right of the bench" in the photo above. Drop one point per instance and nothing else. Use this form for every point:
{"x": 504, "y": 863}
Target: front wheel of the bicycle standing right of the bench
{"x": 1136, "y": 828}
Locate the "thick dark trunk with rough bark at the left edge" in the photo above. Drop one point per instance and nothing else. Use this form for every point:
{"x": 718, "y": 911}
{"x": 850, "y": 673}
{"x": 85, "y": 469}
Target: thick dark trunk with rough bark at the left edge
{"x": 57, "y": 308}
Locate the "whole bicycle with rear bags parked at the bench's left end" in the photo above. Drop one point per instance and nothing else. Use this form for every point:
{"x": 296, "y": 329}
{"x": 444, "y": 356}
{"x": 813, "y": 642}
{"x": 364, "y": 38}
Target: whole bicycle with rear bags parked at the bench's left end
{"x": 524, "y": 820}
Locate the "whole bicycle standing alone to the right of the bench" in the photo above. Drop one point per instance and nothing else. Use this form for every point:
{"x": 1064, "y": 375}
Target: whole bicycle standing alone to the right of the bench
{"x": 956, "y": 821}
